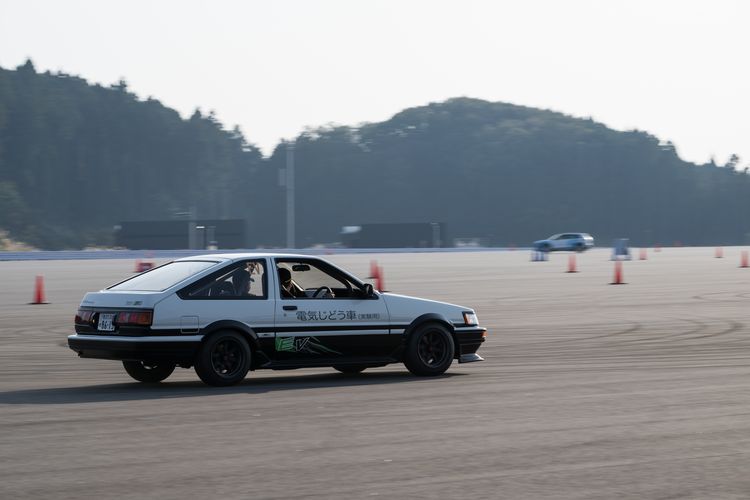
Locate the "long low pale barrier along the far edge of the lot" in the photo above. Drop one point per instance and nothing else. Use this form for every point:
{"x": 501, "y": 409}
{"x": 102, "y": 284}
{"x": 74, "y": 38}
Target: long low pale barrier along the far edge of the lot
{"x": 175, "y": 254}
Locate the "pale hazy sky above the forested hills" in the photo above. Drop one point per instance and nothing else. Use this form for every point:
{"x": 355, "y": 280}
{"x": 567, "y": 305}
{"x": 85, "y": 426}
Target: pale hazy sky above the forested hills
{"x": 677, "y": 69}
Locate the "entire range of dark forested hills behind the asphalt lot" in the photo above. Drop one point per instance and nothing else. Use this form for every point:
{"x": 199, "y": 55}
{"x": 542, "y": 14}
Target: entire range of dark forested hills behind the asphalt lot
{"x": 75, "y": 159}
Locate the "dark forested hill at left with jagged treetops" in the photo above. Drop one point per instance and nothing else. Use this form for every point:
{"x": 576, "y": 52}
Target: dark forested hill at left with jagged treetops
{"x": 75, "y": 159}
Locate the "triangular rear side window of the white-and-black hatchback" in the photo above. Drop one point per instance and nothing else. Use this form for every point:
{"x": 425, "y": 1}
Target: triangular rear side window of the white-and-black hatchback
{"x": 242, "y": 280}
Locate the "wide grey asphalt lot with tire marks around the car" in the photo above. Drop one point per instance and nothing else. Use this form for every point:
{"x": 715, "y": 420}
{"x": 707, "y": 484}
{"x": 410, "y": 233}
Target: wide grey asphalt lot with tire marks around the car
{"x": 588, "y": 391}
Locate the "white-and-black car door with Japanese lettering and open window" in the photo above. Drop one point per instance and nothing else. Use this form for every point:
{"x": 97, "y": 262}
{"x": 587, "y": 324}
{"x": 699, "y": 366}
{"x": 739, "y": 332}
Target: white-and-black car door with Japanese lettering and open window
{"x": 317, "y": 325}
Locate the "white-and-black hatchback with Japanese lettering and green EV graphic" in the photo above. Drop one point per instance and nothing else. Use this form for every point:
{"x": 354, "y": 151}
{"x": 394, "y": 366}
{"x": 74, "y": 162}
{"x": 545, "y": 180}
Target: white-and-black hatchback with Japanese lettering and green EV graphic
{"x": 227, "y": 314}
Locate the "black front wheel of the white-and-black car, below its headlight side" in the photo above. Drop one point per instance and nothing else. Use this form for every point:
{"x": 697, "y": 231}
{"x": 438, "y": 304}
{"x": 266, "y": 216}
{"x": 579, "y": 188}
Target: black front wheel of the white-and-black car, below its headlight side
{"x": 429, "y": 350}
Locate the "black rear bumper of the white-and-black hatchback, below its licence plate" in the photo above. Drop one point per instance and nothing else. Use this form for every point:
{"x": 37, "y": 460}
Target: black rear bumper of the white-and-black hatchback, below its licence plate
{"x": 178, "y": 349}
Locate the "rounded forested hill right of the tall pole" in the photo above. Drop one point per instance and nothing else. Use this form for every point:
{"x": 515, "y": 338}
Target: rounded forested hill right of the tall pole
{"x": 514, "y": 174}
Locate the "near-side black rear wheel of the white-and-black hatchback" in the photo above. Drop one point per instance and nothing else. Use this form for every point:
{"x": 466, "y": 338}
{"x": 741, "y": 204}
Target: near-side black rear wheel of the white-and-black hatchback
{"x": 224, "y": 359}
